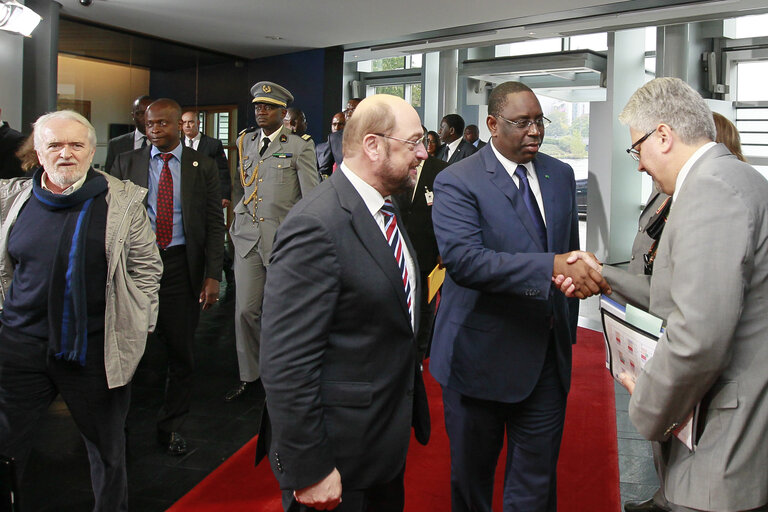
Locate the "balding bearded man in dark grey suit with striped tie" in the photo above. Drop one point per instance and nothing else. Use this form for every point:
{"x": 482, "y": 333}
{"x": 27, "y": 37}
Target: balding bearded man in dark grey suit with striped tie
{"x": 338, "y": 349}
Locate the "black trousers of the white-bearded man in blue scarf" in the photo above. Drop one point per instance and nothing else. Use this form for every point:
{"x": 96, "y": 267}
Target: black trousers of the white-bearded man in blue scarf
{"x": 30, "y": 379}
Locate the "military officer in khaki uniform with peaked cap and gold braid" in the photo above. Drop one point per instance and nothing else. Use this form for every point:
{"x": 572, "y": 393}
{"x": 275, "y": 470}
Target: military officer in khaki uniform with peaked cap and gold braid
{"x": 276, "y": 169}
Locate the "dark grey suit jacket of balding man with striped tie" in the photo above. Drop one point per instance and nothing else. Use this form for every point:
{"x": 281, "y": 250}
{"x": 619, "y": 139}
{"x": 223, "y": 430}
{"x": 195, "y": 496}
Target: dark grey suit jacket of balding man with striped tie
{"x": 338, "y": 351}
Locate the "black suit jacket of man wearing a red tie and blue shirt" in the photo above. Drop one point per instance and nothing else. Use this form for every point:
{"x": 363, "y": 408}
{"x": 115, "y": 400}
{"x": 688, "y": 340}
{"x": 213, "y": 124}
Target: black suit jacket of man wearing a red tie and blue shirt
{"x": 200, "y": 207}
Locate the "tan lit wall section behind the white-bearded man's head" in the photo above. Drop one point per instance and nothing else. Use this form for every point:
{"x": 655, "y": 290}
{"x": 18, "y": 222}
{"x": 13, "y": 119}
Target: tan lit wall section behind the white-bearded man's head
{"x": 111, "y": 88}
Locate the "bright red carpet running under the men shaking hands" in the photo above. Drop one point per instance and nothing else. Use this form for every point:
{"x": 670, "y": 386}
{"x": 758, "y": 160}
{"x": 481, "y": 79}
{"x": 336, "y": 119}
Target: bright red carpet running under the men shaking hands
{"x": 588, "y": 473}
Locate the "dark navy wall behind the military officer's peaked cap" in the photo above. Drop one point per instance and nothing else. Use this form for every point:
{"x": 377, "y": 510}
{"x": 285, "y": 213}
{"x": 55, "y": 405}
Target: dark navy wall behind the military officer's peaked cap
{"x": 308, "y": 75}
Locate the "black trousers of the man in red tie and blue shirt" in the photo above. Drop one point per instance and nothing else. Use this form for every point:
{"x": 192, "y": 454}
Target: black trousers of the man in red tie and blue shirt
{"x": 177, "y": 319}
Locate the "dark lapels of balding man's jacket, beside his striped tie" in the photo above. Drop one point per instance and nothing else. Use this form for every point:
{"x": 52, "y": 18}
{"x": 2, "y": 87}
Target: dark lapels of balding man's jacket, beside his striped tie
{"x": 370, "y": 236}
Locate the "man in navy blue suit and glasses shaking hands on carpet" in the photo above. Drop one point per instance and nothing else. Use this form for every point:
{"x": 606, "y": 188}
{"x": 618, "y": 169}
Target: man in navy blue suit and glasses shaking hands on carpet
{"x": 505, "y": 219}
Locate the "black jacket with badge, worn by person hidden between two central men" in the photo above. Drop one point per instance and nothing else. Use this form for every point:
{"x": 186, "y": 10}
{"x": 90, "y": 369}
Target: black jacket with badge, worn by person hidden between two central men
{"x": 417, "y": 214}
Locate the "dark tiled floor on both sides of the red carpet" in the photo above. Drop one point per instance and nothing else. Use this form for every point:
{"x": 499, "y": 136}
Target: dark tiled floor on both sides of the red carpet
{"x": 57, "y": 475}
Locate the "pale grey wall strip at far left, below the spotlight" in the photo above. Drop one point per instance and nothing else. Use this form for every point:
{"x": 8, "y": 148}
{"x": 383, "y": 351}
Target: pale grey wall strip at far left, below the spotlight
{"x": 11, "y": 64}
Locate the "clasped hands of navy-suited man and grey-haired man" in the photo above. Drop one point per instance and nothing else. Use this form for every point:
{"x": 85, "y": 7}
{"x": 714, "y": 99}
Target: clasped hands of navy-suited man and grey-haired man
{"x": 579, "y": 274}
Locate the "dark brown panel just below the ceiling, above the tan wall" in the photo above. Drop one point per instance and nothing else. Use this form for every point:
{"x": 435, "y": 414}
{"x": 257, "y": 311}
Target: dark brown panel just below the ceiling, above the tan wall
{"x": 98, "y": 42}
